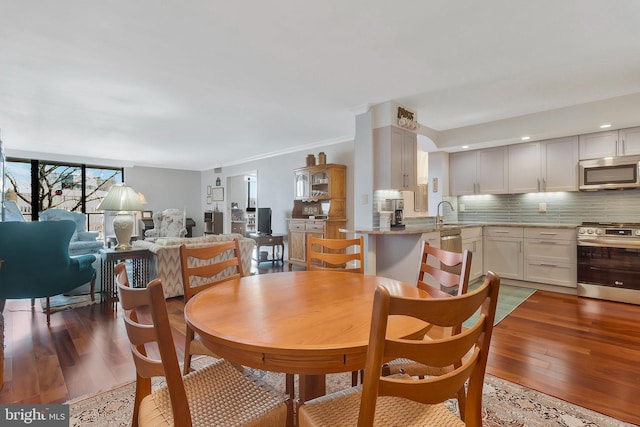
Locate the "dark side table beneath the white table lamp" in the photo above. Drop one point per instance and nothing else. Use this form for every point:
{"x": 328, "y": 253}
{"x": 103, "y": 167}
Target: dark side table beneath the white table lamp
{"x": 141, "y": 269}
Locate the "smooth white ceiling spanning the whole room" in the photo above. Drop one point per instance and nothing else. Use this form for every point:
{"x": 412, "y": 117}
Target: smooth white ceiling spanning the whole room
{"x": 203, "y": 83}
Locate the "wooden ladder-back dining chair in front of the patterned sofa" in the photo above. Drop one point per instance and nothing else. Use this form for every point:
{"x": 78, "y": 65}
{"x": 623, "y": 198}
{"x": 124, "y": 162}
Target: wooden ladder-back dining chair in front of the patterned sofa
{"x": 201, "y": 269}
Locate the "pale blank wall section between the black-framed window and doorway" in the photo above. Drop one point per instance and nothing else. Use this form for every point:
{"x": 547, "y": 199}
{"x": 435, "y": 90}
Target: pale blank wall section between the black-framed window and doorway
{"x": 169, "y": 188}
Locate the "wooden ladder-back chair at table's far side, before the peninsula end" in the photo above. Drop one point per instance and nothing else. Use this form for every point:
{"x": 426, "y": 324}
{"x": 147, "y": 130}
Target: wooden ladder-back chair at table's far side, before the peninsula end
{"x": 334, "y": 254}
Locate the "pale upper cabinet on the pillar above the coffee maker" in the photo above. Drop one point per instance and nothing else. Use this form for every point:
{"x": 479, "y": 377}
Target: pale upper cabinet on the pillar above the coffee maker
{"x": 394, "y": 158}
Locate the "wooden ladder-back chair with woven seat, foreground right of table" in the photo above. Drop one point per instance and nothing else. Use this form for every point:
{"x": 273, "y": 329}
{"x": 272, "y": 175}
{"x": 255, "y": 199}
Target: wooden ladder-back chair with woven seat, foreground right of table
{"x": 405, "y": 400}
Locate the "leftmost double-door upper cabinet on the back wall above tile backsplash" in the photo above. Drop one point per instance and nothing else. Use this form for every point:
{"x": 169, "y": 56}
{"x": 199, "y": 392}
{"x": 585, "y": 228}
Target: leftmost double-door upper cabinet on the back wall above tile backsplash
{"x": 479, "y": 172}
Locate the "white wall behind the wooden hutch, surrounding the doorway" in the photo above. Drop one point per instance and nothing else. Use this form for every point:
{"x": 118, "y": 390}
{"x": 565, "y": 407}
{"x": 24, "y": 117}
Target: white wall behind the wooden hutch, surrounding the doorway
{"x": 275, "y": 182}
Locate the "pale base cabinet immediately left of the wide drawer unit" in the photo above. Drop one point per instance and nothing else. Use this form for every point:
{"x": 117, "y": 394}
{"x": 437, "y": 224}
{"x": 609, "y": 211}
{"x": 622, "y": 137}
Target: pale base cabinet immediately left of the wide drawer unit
{"x": 503, "y": 252}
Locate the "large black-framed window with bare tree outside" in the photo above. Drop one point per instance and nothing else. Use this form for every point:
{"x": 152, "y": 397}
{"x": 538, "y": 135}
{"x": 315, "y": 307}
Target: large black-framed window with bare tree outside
{"x": 40, "y": 185}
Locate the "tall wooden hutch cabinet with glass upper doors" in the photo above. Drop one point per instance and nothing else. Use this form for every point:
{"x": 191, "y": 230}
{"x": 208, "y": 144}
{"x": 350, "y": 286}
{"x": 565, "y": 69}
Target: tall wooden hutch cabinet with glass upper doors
{"x": 319, "y": 207}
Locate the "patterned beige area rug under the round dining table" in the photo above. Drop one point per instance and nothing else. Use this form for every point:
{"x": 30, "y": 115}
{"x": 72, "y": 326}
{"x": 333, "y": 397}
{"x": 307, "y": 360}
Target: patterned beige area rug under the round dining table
{"x": 505, "y": 404}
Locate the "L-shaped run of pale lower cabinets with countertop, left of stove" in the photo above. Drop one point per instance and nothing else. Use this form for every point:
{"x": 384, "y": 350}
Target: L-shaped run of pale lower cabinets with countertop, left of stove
{"x": 518, "y": 252}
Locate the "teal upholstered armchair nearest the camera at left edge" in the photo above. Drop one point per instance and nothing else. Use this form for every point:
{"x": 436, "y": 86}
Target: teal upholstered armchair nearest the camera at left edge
{"x": 36, "y": 262}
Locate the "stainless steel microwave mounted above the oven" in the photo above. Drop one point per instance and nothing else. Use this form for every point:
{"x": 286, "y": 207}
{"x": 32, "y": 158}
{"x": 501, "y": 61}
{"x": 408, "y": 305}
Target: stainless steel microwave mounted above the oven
{"x": 610, "y": 173}
